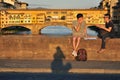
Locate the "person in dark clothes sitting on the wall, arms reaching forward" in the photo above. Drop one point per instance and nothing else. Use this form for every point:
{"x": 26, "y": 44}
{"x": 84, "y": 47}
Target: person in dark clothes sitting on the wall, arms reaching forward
{"x": 106, "y": 31}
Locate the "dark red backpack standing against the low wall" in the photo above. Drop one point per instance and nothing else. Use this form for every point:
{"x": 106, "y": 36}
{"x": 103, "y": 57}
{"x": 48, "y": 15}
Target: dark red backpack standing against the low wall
{"x": 81, "y": 55}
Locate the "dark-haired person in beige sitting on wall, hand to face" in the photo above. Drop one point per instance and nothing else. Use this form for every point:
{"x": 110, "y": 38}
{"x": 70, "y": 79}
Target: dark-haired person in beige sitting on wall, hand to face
{"x": 79, "y": 31}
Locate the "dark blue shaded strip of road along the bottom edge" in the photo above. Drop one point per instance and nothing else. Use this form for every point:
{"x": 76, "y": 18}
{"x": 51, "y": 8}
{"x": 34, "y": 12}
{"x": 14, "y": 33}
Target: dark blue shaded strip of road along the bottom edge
{"x": 52, "y": 76}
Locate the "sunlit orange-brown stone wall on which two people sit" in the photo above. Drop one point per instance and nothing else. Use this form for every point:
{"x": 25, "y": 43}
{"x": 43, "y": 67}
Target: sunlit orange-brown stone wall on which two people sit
{"x": 36, "y": 47}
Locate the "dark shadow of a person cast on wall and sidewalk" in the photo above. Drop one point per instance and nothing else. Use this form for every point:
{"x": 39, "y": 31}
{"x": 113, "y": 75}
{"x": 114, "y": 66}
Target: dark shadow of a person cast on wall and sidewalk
{"x": 57, "y": 65}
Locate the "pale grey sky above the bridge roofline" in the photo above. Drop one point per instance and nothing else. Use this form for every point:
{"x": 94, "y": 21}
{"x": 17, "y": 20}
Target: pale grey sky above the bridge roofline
{"x": 62, "y": 4}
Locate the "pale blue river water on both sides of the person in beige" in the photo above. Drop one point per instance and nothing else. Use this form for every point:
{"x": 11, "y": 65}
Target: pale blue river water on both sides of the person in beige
{"x": 63, "y": 31}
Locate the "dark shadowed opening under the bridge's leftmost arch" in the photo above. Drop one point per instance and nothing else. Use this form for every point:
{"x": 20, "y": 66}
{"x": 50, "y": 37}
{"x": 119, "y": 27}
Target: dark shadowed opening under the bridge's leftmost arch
{"x": 15, "y": 30}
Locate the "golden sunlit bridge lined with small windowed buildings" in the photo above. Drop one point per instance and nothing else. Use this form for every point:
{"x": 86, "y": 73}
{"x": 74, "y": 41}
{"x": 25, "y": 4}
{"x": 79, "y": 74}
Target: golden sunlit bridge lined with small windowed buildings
{"x": 37, "y": 19}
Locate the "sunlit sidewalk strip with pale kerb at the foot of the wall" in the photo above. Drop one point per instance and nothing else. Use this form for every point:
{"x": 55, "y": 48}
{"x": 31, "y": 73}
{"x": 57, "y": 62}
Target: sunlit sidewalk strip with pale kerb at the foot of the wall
{"x": 60, "y": 66}
